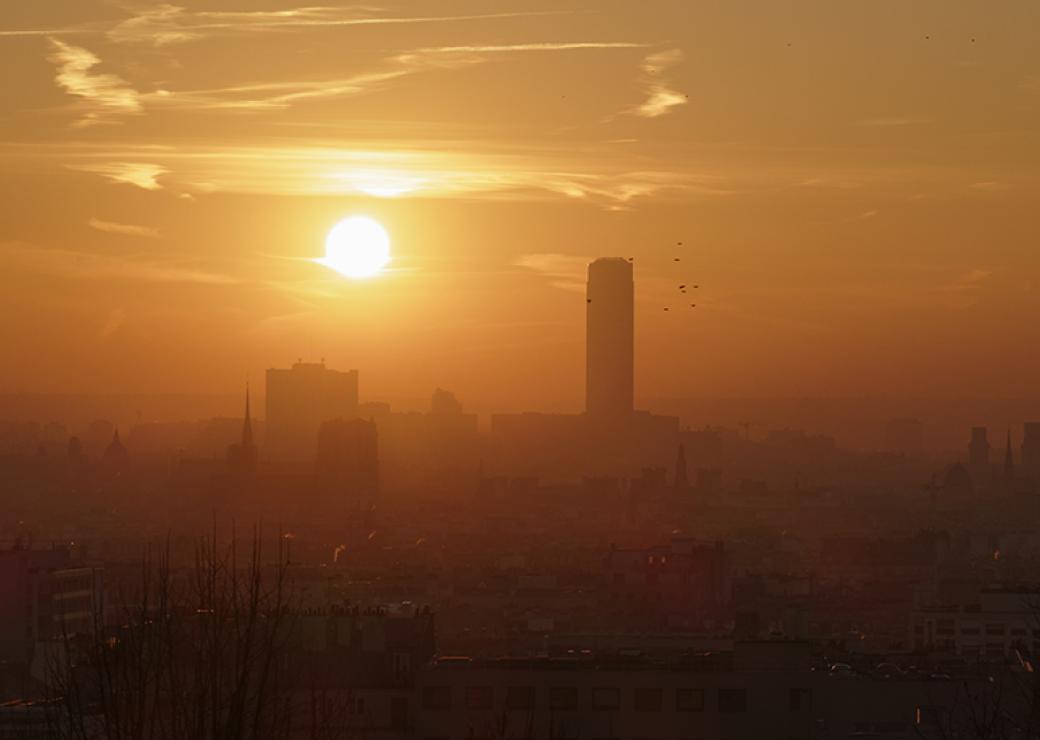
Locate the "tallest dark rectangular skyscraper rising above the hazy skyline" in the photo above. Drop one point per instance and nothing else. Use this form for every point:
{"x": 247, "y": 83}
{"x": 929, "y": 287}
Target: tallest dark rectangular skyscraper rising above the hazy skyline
{"x": 610, "y": 339}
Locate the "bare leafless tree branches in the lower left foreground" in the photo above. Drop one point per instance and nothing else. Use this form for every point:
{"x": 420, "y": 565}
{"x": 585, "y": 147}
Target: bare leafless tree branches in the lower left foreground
{"x": 201, "y": 653}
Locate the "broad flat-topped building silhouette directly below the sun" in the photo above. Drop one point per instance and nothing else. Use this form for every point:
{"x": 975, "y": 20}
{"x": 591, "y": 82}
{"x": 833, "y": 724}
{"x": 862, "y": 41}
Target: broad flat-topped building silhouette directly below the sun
{"x": 299, "y": 400}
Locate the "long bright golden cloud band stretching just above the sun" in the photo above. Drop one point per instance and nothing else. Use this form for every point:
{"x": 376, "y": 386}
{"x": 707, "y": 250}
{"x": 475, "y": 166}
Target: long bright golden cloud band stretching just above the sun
{"x": 331, "y": 171}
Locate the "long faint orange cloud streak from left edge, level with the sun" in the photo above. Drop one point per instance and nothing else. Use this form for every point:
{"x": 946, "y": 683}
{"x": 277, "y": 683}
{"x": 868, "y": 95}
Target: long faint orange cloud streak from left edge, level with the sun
{"x": 83, "y": 266}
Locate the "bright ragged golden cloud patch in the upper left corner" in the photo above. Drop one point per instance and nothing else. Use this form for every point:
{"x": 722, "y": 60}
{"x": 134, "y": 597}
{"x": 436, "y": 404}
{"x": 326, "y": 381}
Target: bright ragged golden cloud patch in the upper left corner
{"x": 105, "y": 96}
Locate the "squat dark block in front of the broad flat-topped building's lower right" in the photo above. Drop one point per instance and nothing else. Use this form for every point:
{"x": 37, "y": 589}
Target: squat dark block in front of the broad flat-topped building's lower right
{"x": 348, "y": 461}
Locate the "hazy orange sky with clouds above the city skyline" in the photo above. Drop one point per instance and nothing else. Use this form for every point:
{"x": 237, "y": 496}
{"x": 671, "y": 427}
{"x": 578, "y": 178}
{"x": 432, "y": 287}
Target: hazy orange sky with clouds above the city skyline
{"x": 854, "y": 182}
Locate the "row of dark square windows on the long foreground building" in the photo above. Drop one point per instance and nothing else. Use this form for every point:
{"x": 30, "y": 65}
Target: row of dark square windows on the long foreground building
{"x": 606, "y": 699}
